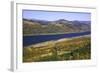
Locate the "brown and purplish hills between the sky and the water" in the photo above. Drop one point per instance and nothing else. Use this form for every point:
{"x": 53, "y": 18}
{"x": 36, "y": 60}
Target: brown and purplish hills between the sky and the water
{"x": 37, "y": 27}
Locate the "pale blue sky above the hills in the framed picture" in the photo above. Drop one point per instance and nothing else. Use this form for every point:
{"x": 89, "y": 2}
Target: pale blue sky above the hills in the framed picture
{"x": 52, "y": 16}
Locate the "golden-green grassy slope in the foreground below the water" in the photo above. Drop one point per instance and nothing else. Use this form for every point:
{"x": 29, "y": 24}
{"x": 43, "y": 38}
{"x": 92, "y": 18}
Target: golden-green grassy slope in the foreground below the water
{"x": 66, "y": 49}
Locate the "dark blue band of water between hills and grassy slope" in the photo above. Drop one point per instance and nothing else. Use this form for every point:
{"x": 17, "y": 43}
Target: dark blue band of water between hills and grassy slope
{"x": 29, "y": 40}
